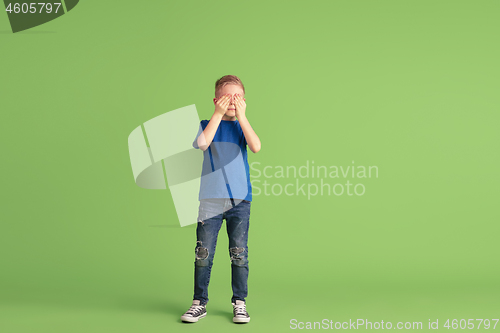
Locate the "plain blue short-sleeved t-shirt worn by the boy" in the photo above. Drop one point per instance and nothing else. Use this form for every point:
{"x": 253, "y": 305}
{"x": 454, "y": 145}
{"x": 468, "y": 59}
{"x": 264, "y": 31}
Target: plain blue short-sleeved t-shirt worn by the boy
{"x": 225, "y": 172}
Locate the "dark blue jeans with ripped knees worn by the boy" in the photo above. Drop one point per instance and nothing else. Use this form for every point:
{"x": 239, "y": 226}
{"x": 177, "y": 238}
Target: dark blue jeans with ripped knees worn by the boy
{"x": 237, "y": 215}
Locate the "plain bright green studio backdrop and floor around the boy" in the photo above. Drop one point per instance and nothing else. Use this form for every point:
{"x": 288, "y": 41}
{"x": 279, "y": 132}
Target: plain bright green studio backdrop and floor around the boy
{"x": 408, "y": 86}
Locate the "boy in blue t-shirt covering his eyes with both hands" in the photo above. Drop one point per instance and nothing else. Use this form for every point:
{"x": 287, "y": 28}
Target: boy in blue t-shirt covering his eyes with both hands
{"x": 225, "y": 193}
